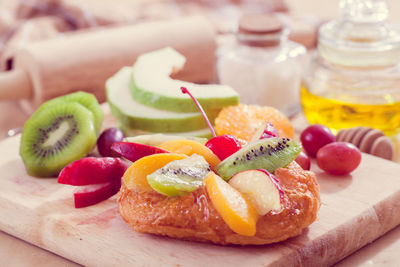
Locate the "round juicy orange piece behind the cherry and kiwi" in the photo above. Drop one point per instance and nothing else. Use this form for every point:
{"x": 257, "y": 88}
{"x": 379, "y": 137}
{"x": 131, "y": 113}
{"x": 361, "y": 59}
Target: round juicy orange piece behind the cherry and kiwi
{"x": 243, "y": 121}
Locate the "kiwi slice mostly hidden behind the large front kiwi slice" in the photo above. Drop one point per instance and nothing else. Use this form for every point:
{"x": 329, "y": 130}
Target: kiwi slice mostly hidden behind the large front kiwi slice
{"x": 86, "y": 99}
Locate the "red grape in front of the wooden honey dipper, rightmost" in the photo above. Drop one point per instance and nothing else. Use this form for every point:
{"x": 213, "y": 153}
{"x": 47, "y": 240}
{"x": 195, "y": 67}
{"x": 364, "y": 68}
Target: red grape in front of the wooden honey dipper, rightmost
{"x": 339, "y": 158}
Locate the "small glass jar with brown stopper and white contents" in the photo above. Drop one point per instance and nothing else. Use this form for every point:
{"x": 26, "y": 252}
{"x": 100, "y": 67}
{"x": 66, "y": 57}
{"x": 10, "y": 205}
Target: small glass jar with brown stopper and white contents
{"x": 261, "y": 64}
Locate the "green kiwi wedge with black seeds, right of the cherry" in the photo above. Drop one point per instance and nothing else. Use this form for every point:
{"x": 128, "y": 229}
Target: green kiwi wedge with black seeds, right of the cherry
{"x": 269, "y": 153}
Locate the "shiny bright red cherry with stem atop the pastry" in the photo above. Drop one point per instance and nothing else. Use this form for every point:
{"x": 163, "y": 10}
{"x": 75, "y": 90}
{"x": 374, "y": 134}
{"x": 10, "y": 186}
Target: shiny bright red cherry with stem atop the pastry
{"x": 224, "y": 145}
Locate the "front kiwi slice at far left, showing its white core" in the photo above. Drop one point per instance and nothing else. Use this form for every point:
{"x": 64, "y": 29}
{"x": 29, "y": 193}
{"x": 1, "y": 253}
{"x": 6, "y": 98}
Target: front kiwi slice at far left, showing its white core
{"x": 56, "y": 136}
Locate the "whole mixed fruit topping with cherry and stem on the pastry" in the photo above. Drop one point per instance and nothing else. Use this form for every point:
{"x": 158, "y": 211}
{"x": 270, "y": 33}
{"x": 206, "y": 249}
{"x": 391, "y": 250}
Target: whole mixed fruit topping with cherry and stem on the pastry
{"x": 238, "y": 179}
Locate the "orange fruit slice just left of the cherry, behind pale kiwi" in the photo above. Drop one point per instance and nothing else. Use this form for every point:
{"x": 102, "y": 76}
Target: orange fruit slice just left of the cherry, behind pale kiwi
{"x": 190, "y": 147}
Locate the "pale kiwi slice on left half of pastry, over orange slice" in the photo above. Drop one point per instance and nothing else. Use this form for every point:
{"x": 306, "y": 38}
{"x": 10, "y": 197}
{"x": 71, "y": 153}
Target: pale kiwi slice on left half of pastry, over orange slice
{"x": 179, "y": 177}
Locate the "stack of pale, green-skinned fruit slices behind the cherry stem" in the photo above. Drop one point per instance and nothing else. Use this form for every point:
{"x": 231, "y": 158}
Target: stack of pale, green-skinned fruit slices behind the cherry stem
{"x": 148, "y": 104}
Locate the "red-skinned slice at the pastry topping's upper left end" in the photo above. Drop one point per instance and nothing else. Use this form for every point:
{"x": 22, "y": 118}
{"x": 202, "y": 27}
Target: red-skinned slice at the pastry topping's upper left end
{"x": 134, "y": 151}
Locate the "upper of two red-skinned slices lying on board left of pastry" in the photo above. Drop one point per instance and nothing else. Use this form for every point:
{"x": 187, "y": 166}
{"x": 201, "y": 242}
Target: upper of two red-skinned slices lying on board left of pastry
{"x": 92, "y": 170}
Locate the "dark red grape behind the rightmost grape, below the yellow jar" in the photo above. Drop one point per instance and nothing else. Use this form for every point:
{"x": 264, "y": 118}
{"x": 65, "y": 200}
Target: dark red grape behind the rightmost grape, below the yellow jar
{"x": 314, "y": 137}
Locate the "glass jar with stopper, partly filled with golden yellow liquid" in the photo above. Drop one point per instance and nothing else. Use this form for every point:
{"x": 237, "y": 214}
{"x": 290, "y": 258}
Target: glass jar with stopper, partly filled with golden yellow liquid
{"x": 354, "y": 77}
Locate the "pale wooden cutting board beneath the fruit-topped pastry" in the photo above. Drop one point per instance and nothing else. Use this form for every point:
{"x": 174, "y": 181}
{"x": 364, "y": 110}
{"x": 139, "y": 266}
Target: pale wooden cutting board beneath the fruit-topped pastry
{"x": 355, "y": 210}
